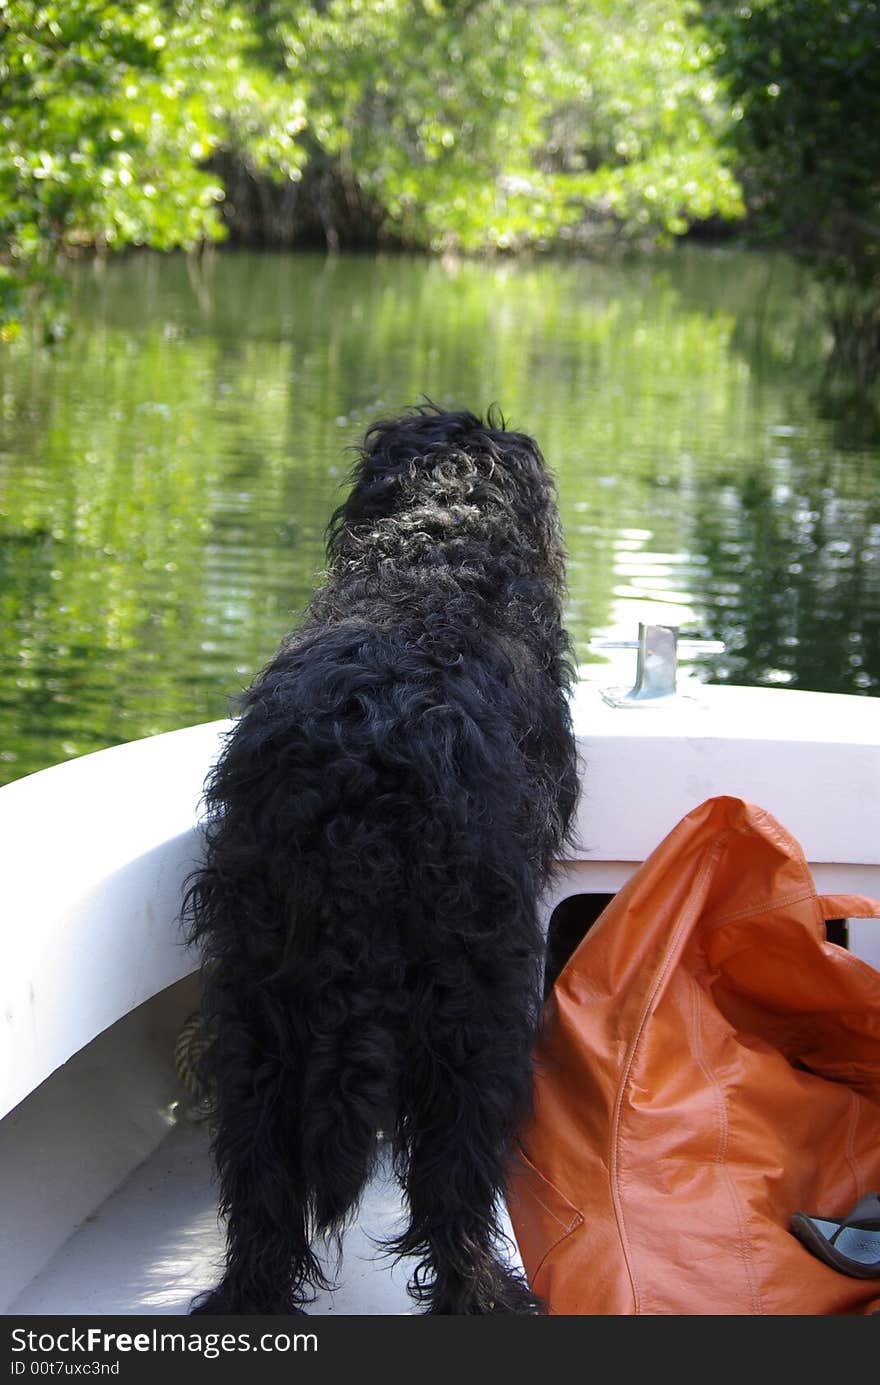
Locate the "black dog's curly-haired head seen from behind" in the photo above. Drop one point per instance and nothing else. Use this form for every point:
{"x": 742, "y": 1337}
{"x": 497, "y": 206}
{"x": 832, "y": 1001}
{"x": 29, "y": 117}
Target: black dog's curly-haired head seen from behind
{"x": 444, "y": 479}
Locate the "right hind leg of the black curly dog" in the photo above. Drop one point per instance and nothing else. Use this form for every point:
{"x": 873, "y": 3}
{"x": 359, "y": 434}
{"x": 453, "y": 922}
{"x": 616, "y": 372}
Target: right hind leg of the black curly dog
{"x": 469, "y": 1087}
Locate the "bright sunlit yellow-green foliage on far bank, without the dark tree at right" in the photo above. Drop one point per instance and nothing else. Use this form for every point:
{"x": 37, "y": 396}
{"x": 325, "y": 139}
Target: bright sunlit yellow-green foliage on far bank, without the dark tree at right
{"x": 464, "y": 124}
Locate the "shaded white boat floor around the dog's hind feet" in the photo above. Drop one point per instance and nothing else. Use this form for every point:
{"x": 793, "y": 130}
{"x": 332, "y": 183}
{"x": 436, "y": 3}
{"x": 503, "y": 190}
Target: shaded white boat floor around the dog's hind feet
{"x": 114, "y": 1210}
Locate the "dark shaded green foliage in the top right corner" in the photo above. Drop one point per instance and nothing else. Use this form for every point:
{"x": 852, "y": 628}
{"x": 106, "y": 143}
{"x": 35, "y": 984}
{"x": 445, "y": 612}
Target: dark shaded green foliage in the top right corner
{"x": 804, "y": 77}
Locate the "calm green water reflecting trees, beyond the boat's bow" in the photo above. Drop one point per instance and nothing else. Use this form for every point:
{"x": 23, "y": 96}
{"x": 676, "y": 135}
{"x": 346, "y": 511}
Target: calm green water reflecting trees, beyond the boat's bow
{"x": 167, "y": 473}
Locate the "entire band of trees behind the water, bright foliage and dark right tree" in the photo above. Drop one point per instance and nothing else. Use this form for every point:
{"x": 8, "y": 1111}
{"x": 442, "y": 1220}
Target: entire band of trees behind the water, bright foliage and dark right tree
{"x": 446, "y": 125}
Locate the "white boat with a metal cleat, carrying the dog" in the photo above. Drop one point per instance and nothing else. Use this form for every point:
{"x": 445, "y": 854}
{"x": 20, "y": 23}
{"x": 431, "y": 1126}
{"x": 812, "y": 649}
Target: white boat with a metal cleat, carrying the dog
{"x": 106, "y": 1188}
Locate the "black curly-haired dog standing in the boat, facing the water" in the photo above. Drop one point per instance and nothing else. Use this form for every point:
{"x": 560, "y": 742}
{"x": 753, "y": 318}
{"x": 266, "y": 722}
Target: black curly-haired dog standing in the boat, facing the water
{"x": 380, "y": 826}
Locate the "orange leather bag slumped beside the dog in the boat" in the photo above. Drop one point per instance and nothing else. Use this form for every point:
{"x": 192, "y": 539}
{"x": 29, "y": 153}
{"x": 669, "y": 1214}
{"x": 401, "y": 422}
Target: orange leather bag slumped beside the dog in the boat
{"x": 710, "y": 1064}
